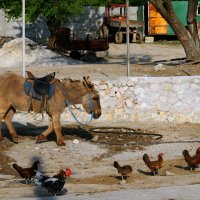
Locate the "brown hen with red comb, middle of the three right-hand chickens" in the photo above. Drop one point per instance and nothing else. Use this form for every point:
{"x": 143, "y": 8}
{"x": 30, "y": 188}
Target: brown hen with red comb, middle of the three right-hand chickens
{"x": 155, "y": 165}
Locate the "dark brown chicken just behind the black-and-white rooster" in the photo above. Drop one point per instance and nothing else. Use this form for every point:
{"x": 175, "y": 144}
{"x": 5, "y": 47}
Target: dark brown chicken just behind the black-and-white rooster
{"x": 27, "y": 173}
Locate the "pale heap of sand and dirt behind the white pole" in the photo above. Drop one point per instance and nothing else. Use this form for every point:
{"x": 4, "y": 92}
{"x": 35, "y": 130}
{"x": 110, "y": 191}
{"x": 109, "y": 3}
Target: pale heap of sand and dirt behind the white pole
{"x": 35, "y": 55}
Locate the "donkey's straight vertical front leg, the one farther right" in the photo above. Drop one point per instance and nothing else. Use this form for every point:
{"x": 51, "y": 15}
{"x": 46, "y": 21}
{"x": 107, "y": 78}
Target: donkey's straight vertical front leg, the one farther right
{"x": 58, "y": 129}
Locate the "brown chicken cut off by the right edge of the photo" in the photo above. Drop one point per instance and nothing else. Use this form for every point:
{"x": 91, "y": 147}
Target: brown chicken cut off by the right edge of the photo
{"x": 192, "y": 161}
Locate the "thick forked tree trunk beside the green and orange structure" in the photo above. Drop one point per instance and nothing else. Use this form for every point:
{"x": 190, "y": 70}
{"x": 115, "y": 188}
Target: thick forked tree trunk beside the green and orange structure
{"x": 188, "y": 36}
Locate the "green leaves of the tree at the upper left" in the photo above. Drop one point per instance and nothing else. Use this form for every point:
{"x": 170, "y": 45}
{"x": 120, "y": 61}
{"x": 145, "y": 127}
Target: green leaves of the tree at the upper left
{"x": 58, "y": 9}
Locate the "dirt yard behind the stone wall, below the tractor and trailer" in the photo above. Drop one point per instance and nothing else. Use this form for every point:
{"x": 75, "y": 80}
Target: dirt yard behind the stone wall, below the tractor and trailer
{"x": 158, "y": 59}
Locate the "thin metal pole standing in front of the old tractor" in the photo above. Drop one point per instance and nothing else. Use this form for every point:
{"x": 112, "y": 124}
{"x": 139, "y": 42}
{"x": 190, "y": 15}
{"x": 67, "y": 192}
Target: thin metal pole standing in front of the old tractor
{"x": 127, "y": 38}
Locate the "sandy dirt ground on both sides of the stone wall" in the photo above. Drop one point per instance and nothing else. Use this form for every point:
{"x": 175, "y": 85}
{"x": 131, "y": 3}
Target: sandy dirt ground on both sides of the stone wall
{"x": 91, "y": 160}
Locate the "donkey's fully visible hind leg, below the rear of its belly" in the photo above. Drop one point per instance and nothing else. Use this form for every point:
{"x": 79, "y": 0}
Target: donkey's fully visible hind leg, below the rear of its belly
{"x": 8, "y": 121}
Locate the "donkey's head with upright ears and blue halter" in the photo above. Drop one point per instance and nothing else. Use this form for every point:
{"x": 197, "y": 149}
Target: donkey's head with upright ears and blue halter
{"x": 91, "y": 99}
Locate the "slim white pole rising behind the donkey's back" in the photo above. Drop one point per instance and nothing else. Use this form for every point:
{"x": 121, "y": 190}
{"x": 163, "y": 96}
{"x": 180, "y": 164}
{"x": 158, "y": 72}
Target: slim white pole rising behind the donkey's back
{"x": 23, "y": 38}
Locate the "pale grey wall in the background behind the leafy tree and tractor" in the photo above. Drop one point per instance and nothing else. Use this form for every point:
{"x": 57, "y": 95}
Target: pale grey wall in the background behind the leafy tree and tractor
{"x": 87, "y": 23}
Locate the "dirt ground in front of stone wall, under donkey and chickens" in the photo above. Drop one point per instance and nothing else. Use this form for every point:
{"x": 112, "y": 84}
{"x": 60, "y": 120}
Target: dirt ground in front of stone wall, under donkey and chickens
{"x": 92, "y": 161}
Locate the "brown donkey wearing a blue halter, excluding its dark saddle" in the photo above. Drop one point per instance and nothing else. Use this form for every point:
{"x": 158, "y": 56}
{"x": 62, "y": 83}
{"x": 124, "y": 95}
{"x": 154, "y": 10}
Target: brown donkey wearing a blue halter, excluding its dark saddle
{"x": 13, "y": 97}
